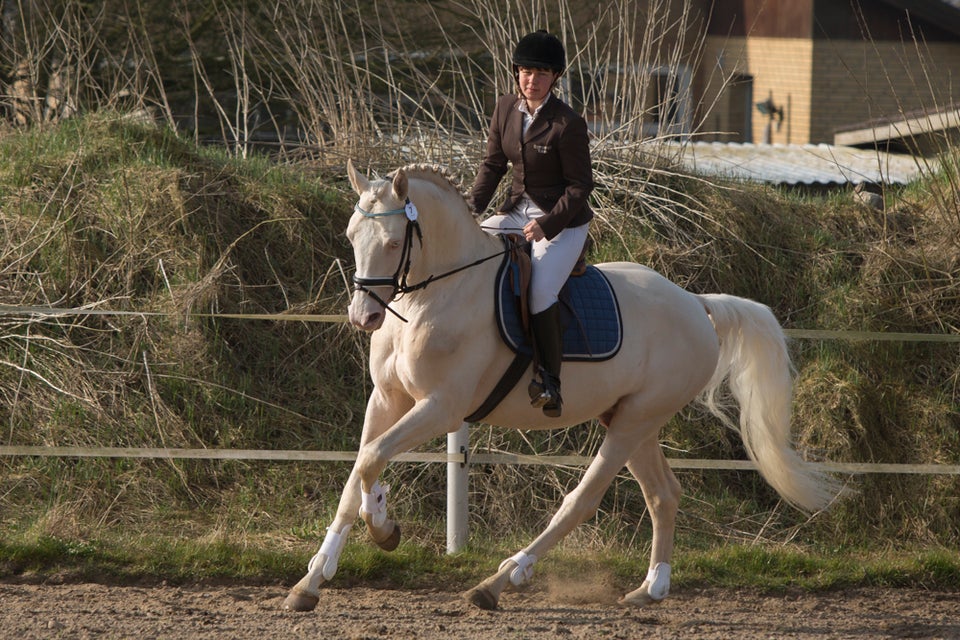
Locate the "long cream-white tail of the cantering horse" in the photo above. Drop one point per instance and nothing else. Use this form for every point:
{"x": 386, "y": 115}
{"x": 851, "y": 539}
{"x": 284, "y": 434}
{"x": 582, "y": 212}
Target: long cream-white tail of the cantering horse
{"x": 755, "y": 362}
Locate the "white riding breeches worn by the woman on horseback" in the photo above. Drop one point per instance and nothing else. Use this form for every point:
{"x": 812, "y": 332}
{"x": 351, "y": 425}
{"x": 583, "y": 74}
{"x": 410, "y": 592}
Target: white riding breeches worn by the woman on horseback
{"x": 552, "y": 259}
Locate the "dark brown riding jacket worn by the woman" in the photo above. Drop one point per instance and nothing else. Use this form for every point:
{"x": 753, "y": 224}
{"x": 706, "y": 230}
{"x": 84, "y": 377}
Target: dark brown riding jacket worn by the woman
{"x": 552, "y": 164}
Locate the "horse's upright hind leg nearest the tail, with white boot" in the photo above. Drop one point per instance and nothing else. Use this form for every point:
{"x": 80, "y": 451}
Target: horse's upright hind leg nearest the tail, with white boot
{"x": 661, "y": 491}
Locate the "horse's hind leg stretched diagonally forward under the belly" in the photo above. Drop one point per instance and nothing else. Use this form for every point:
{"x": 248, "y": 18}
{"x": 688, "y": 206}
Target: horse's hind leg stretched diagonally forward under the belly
{"x": 579, "y": 505}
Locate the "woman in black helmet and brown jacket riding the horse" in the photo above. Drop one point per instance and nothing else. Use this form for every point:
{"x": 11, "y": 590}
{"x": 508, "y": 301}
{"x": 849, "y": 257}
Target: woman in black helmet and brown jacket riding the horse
{"x": 547, "y": 143}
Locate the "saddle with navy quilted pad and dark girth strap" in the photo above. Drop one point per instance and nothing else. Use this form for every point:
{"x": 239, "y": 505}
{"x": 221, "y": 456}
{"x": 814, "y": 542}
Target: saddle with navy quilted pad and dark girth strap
{"x": 590, "y": 313}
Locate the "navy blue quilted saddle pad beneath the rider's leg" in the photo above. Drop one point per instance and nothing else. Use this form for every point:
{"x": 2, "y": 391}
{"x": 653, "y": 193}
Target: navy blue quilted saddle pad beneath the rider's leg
{"x": 590, "y": 311}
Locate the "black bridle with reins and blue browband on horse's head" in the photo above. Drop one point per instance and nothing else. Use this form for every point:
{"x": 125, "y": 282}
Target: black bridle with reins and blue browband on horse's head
{"x": 398, "y": 281}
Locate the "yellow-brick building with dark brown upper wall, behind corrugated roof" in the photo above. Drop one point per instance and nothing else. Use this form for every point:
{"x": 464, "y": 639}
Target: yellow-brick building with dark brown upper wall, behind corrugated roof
{"x": 797, "y": 71}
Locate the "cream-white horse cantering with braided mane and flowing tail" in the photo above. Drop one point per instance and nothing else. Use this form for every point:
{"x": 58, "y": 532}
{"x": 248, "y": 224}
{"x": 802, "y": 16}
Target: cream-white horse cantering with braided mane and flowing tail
{"x": 414, "y": 234}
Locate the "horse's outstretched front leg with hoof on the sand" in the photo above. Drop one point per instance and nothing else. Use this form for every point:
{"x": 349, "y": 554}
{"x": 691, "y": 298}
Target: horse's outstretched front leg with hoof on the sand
{"x": 382, "y": 412}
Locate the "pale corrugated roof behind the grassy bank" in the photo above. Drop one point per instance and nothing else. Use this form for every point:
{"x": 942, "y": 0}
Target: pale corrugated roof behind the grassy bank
{"x": 808, "y": 164}
